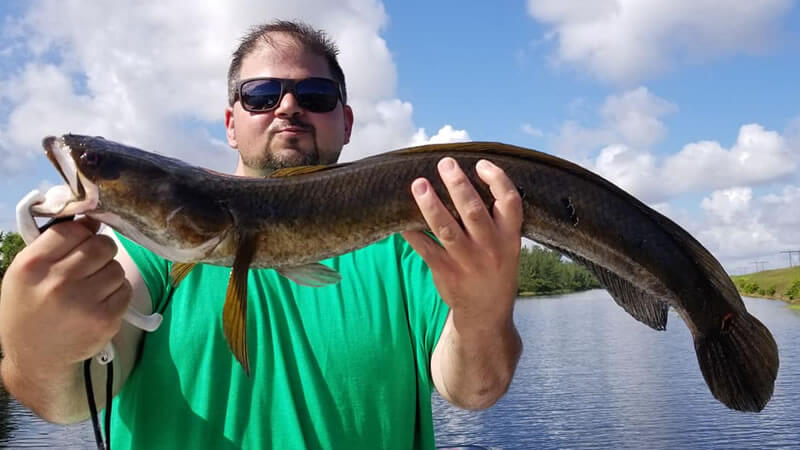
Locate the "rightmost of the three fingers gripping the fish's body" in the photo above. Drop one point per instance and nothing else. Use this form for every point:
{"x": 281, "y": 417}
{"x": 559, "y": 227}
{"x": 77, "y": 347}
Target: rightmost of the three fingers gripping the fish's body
{"x": 508, "y": 203}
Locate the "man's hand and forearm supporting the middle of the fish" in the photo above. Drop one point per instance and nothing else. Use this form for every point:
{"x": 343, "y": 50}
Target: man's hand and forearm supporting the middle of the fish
{"x": 475, "y": 270}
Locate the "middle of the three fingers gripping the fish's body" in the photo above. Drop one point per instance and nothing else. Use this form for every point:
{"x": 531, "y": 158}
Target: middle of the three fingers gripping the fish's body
{"x": 468, "y": 203}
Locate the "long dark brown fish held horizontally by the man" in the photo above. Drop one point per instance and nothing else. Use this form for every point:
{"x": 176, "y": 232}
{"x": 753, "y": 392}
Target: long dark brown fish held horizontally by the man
{"x": 302, "y": 215}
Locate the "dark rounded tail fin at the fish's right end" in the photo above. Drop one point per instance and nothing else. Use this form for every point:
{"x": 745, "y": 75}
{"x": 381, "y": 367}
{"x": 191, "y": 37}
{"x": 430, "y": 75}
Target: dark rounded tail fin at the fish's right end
{"x": 739, "y": 362}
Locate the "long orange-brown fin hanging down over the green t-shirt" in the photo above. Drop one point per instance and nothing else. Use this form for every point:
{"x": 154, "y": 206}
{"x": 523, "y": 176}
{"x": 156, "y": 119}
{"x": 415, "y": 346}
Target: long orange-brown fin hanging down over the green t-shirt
{"x": 234, "y": 313}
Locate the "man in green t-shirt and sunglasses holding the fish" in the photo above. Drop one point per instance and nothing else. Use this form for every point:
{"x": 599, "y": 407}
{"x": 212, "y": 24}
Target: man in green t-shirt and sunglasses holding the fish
{"x": 350, "y": 365}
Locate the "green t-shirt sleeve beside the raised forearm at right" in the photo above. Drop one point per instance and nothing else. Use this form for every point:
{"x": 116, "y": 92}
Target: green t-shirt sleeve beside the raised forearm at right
{"x": 426, "y": 309}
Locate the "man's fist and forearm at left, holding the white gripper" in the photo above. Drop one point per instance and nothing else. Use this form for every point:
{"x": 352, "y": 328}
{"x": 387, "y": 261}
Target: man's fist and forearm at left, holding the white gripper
{"x": 62, "y": 299}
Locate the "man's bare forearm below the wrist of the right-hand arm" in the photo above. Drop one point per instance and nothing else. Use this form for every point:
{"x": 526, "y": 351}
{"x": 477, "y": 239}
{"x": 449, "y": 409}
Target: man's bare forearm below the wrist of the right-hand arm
{"x": 476, "y": 360}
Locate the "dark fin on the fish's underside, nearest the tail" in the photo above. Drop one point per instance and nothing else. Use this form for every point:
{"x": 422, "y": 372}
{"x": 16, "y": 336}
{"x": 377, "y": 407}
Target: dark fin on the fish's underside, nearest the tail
{"x": 642, "y": 306}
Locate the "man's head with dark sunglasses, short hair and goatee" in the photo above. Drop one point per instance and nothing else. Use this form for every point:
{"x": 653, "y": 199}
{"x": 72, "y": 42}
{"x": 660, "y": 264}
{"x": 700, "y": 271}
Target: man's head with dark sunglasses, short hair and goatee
{"x": 291, "y": 133}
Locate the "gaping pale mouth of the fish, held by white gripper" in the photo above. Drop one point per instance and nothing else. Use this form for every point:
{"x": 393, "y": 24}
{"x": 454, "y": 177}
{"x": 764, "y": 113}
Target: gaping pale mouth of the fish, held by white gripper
{"x": 78, "y": 196}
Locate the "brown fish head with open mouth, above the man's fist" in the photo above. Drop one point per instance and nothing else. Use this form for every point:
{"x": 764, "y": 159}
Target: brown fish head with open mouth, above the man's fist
{"x": 159, "y": 202}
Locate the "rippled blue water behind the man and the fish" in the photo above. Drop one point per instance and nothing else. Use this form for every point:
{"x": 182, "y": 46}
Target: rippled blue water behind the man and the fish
{"x": 590, "y": 377}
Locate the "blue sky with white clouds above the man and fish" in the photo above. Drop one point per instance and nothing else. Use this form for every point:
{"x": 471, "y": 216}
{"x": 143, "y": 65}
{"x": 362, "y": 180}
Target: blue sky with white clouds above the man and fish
{"x": 692, "y": 106}
